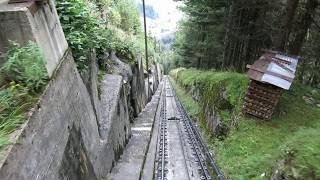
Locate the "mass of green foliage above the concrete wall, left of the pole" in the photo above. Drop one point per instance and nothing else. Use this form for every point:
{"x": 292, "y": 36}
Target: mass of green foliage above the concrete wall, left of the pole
{"x": 103, "y": 25}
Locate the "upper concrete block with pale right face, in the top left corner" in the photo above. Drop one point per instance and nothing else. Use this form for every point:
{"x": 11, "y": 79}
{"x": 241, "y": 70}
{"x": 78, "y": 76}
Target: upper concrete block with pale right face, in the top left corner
{"x": 38, "y": 22}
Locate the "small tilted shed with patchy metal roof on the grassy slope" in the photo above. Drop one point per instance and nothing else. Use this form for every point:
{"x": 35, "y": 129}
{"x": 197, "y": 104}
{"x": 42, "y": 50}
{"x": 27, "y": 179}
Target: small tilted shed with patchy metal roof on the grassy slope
{"x": 269, "y": 75}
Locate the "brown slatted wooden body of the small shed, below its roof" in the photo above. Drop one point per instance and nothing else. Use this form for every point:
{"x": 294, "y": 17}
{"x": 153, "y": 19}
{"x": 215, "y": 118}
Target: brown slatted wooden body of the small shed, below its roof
{"x": 261, "y": 99}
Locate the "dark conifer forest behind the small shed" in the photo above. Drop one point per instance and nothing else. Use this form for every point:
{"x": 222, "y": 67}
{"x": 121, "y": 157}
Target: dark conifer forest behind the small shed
{"x": 228, "y": 35}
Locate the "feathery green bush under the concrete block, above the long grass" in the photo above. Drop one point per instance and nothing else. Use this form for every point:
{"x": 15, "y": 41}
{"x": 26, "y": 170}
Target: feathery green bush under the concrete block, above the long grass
{"x": 25, "y": 66}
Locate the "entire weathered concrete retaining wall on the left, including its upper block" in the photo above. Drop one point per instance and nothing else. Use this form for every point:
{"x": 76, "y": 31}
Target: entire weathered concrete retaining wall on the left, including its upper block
{"x": 78, "y": 130}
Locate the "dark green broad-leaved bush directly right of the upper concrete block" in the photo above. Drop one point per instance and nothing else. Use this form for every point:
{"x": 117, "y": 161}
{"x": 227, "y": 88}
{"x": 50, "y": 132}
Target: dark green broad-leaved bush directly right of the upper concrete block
{"x": 83, "y": 29}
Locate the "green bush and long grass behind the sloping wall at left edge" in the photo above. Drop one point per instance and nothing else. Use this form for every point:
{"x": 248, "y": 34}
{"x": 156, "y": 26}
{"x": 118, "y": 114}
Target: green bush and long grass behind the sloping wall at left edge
{"x": 23, "y": 77}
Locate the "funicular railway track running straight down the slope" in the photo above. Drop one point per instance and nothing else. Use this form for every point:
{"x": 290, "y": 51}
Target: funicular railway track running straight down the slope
{"x": 181, "y": 152}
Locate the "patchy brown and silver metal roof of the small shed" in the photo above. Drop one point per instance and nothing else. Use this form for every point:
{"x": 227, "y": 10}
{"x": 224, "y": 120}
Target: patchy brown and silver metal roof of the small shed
{"x": 275, "y": 68}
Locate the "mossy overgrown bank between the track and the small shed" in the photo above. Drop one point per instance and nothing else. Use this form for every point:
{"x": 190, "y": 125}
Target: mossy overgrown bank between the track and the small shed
{"x": 223, "y": 91}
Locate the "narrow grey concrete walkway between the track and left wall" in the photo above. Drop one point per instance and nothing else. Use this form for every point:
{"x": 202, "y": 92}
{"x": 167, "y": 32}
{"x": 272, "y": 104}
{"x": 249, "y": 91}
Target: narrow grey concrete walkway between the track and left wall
{"x": 131, "y": 163}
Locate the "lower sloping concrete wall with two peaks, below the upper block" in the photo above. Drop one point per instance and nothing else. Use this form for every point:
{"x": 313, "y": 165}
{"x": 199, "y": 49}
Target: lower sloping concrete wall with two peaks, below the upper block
{"x": 63, "y": 139}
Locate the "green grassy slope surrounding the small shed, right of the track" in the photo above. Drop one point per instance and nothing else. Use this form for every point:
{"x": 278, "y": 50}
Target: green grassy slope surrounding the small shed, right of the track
{"x": 253, "y": 149}
